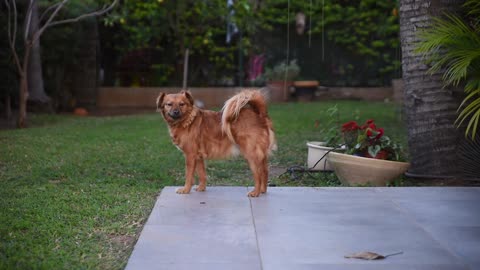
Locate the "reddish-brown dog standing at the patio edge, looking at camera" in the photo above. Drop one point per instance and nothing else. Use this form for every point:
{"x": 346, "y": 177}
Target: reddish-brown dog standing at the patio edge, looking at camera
{"x": 243, "y": 126}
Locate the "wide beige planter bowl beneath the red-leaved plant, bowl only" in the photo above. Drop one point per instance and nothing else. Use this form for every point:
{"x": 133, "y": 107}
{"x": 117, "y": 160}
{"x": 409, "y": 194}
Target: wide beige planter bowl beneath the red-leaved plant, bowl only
{"x": 354, "y": 170}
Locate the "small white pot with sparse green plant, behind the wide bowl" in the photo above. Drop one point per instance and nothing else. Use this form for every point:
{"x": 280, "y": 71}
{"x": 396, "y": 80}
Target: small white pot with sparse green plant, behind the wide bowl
{"x": 317, "y": 155}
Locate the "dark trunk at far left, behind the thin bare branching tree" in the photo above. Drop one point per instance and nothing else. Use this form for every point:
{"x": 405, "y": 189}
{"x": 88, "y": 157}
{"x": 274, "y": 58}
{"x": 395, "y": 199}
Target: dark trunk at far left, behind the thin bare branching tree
{"x": 35, "y": 87}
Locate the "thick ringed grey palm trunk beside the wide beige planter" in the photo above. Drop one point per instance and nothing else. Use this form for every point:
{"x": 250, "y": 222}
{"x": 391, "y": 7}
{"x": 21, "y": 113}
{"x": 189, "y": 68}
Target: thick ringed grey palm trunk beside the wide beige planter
{"x": 430, "y": 109}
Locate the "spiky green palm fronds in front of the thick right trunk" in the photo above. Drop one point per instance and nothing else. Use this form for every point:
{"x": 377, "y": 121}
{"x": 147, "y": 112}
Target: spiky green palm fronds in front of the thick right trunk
{"x": 452, "y": 46}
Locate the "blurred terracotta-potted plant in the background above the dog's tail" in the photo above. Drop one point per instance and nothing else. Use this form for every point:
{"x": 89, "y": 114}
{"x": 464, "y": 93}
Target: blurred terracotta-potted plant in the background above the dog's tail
{"x": 279, "y": 79}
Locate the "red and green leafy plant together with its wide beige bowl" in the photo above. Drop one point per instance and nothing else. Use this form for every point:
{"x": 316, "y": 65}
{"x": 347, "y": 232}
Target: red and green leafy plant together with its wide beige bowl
{"x": 371, "y": 156}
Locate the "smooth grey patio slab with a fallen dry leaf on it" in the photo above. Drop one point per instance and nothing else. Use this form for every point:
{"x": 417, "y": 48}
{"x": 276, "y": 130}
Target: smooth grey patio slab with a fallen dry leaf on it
{"x": 312, "y": 228}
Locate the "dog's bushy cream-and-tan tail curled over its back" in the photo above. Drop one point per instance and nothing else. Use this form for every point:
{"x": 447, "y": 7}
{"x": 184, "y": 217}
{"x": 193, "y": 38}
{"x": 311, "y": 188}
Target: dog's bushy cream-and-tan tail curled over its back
{"x": 253, "y": 98}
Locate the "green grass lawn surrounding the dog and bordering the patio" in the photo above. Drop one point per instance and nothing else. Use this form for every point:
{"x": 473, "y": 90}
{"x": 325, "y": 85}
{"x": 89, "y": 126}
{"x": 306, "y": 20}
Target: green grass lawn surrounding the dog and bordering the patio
{"x": 75, "y": 192}
